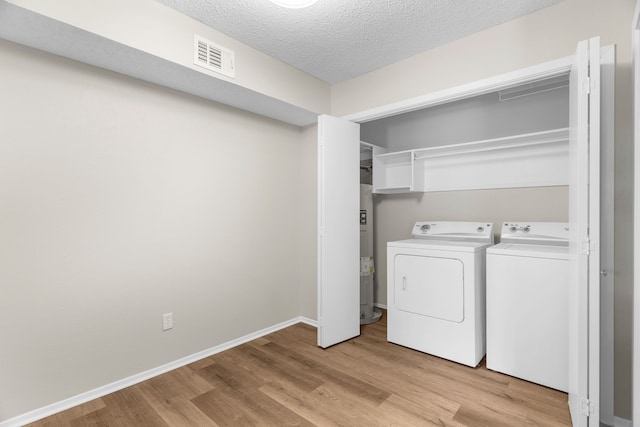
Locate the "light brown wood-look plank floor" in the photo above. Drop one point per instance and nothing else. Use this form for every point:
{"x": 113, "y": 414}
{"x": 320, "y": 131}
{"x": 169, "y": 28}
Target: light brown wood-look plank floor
{"x": 285, "y": 379}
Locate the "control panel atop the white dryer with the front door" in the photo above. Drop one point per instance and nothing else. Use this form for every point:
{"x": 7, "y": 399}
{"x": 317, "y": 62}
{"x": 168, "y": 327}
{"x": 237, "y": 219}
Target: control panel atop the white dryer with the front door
{"x": 453, "y": 230}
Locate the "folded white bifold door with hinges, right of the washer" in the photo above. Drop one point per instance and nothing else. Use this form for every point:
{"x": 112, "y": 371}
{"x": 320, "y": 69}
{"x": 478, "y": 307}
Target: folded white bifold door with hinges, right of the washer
{"x": 584, "y": 219}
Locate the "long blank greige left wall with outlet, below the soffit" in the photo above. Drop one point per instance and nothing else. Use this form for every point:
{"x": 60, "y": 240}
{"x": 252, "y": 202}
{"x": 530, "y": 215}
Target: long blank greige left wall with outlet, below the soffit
{"x": 121, "y": 201}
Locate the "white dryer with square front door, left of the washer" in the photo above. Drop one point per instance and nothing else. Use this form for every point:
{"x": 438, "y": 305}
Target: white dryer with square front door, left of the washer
{"x": 436, "y": 290}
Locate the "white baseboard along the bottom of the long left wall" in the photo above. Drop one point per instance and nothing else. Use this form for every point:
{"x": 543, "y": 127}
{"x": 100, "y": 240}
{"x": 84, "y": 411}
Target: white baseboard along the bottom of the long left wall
{"x": 85, "y": 397}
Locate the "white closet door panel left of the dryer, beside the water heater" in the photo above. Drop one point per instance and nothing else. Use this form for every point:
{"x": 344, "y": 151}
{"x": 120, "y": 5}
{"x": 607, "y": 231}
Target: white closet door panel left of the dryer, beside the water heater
{"x": 338, "y": 230}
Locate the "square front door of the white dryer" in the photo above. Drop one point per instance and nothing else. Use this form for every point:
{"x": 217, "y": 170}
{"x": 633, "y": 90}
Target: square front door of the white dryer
{"x": 430, "y": 286}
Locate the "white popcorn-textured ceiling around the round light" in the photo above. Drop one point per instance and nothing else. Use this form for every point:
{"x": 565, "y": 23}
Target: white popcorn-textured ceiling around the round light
{"x": 336, "y": 40}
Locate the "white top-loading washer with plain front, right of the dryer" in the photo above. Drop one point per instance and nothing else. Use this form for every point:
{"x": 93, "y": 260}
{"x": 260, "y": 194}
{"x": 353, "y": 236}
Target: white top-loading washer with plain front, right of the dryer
{"x": 528, "y": 302}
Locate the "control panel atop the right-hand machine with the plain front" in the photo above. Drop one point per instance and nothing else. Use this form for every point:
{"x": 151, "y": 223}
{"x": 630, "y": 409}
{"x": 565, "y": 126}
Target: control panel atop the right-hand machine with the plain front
{"x": 535, "y": 233}
